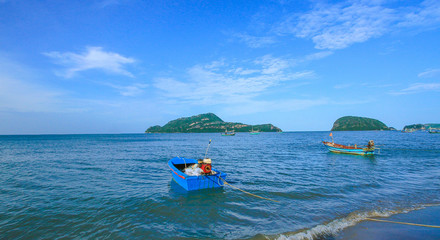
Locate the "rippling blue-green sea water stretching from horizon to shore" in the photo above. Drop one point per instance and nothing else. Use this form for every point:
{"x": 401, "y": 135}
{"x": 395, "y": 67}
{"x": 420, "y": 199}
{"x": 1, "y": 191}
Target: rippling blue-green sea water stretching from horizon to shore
{"x": 120, "y": 187}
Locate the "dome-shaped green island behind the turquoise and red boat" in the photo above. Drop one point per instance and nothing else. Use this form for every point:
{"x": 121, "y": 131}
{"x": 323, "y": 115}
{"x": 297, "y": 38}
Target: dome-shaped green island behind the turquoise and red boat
{"x": 351, "y": 123}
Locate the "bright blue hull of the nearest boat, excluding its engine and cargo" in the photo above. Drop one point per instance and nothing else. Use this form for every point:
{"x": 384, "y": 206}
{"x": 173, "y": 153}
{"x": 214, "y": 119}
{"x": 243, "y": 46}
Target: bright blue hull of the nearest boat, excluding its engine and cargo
{"x": 192, "y": 183}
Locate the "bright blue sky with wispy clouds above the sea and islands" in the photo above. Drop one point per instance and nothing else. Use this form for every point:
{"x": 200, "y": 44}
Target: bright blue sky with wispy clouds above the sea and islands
{"x": 121, "y": 66}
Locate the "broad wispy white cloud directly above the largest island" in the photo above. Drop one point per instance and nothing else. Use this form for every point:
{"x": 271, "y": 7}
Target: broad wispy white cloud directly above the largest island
{"x": 225, "y": 83}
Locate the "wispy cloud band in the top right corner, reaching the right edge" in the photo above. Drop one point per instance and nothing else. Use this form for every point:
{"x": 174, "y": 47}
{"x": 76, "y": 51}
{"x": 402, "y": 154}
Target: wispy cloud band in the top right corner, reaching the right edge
{"x": 340, "y": 25}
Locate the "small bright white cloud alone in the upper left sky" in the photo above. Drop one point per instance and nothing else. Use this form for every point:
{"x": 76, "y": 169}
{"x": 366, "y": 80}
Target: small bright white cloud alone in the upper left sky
{"x": 92, "y": 58}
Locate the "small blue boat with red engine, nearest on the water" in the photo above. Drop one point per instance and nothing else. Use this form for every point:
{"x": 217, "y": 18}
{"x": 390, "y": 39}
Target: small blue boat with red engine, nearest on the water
{"x": 207, "y": 178}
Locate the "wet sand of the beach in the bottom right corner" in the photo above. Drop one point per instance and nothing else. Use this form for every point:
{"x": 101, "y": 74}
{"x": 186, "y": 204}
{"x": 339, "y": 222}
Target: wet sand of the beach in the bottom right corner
{"x": 373, "y": 230}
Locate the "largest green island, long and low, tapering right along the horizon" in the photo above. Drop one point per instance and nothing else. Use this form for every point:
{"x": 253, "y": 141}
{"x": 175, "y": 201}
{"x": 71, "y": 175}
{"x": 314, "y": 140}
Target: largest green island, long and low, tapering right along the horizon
{"x": 206, "y": 123}
